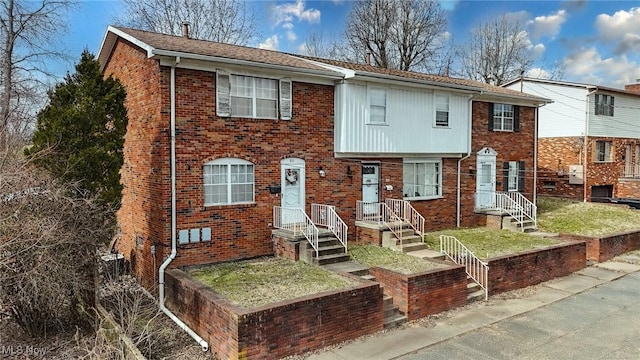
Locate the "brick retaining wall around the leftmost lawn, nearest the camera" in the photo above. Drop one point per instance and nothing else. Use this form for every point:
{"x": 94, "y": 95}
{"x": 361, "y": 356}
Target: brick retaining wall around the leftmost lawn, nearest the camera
{"x": 277, "y": 330}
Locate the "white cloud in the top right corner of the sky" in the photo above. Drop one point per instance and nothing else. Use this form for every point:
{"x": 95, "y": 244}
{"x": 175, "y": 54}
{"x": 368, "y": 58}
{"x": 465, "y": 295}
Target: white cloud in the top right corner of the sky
{"x": 621, "y": 28}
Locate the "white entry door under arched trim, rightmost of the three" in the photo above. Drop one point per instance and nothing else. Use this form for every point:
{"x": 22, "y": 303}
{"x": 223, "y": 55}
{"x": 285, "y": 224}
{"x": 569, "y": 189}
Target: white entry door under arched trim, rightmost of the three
{"x": 485, "y": 178}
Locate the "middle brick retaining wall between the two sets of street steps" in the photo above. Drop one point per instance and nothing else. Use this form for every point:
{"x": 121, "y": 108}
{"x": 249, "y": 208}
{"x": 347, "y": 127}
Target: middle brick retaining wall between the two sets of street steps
{"x": 426, "y": 293}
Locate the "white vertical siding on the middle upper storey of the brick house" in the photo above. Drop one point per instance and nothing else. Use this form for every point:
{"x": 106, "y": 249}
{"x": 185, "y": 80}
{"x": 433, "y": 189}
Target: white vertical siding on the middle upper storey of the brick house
{"x": 410, "y": 118}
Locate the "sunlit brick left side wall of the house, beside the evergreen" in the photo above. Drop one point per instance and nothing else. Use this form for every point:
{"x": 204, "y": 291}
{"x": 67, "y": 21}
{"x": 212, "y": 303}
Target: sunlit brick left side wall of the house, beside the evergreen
{"x": 143, "y": 213}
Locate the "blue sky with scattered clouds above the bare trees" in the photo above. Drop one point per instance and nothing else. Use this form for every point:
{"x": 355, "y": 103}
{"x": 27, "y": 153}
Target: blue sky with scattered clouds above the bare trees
{"x": 597, "y": 41}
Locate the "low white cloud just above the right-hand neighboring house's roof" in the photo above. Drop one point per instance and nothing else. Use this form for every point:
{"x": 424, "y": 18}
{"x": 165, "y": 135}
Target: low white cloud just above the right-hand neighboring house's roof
{"x": 588, "y": 66}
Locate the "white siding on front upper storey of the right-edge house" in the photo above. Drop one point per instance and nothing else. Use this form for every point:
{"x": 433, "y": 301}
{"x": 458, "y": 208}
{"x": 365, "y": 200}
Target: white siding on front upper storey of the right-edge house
{"x": 625, "y": 122}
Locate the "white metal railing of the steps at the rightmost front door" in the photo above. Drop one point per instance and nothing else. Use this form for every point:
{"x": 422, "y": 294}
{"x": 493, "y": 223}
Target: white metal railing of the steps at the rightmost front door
{"x": 513, "y": 203}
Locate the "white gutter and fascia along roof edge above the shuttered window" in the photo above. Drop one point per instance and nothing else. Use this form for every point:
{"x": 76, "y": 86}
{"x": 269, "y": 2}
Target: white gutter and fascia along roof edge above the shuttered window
{"x": 207, "y": 58}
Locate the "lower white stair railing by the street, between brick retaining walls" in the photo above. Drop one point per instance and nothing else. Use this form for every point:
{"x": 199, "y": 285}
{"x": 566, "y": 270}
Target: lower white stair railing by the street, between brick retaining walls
{"x": 475, "y": 268}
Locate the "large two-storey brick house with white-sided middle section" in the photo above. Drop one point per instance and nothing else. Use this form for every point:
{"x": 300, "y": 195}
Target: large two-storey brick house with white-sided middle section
{"x": 255, "y": 129}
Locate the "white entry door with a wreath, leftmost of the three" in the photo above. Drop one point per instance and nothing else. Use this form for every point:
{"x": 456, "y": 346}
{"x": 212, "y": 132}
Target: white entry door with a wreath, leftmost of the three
{"x": 293, "y": 197}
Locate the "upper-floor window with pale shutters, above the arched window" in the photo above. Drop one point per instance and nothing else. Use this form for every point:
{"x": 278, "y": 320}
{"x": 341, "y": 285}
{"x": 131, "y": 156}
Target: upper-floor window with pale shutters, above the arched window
{"x": 253, "y": 97}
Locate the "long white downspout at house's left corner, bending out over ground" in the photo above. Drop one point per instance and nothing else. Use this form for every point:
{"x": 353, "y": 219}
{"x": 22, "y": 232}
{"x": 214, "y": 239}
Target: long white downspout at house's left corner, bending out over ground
{"x": 174, "y": 249}
